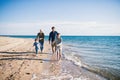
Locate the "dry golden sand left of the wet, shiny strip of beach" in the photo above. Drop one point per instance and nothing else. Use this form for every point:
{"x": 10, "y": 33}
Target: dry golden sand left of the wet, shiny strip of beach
{"x": 18, "y": 60}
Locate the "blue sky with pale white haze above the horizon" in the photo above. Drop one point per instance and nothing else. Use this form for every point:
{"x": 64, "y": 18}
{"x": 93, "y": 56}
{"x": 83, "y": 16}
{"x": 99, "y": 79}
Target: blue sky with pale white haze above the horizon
{"x": 70, "y": 17}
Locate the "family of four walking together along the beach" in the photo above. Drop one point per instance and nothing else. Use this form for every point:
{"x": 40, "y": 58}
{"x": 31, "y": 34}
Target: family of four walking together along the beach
{"x": 54, "y": 39}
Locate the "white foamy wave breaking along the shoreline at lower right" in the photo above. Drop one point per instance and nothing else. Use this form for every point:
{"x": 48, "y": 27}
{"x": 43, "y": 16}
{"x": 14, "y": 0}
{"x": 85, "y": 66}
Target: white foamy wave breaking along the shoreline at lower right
{"x": 76, "y": 59}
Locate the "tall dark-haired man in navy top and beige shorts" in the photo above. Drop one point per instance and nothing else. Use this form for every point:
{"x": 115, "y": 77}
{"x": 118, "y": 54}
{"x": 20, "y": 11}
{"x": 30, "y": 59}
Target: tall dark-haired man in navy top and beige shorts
{"x": 52, "y": 37}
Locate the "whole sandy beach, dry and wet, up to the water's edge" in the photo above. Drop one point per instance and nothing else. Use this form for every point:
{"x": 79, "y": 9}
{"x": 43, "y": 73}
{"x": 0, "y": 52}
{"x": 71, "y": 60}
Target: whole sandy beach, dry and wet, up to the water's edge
{"x": 18, "y": 62}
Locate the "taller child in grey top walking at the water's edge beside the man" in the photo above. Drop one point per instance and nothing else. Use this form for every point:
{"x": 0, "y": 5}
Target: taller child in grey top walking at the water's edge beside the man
{"x": 58, "y": 43}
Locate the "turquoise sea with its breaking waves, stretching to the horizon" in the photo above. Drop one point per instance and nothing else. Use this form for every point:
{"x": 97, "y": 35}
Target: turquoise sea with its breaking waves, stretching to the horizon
{"x": 98, "y": 54}
